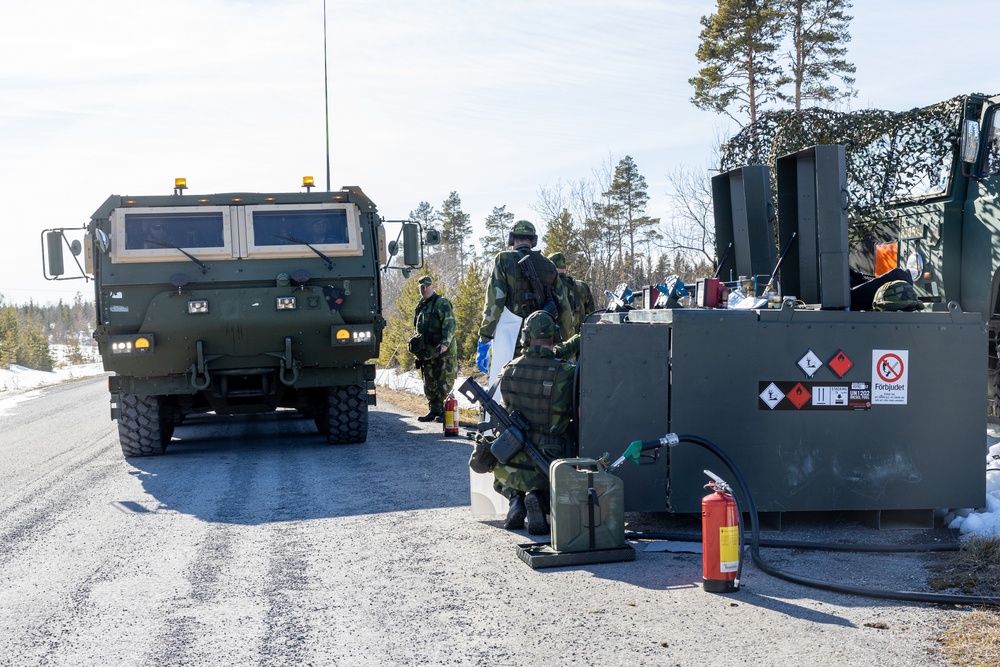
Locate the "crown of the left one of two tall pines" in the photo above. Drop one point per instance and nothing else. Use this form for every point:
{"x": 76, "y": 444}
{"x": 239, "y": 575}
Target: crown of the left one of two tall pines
{"x": 737, "y": 49}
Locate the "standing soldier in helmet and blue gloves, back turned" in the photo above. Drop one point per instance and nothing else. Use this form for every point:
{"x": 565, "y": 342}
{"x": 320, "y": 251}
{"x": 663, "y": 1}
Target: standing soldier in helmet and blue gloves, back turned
{"x": 510, "y": 288}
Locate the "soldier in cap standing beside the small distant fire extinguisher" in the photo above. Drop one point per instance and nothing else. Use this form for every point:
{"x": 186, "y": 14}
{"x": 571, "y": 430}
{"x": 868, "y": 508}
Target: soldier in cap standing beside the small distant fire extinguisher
{"x": 434, "y": 319}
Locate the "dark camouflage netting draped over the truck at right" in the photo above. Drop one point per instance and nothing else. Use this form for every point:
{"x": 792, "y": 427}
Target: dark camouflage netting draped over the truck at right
{"x": 890, "y": 155}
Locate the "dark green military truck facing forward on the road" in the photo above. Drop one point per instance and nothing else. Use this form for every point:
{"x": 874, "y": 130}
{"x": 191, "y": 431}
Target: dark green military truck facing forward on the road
{"x": 236, "y": 303}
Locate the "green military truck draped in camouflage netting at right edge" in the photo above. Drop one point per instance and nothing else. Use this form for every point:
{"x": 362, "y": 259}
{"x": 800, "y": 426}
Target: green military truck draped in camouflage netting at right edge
{"x": 922, "y": 194}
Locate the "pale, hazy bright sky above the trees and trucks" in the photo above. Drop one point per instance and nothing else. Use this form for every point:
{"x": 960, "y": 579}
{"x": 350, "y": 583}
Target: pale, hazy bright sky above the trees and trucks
{"x": 492, "y": 100}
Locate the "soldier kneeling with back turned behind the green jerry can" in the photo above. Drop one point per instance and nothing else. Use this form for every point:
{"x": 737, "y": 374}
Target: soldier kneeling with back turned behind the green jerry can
{"x": 539, "y": 385}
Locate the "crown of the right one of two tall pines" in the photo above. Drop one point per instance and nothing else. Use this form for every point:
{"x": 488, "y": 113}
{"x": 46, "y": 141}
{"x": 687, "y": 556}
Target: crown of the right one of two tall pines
{"x": 819, "y": 31}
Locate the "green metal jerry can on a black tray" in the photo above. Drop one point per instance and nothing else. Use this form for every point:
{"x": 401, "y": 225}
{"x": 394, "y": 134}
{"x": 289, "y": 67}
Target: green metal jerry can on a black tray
{"x": 588, "y": 506}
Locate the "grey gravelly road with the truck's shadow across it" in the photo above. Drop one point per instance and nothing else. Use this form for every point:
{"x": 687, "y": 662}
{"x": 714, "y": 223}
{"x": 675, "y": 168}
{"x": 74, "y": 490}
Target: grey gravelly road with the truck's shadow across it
{"x": 251, "y": 542}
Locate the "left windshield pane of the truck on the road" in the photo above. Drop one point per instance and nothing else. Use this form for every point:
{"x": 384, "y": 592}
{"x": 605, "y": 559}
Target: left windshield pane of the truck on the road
{"x": 181, "y": 230}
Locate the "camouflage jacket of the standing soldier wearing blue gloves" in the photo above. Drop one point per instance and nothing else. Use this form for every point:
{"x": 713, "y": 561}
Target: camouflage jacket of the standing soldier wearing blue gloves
{"x": 509, "y": 288}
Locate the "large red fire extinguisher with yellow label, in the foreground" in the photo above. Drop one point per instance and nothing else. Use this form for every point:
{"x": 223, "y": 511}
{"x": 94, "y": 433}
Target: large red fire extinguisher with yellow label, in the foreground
{"x": 720, "y": 538}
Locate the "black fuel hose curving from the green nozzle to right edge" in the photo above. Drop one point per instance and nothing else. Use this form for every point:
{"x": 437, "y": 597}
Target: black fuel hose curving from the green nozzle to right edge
{"x": 751, "y": 509}
